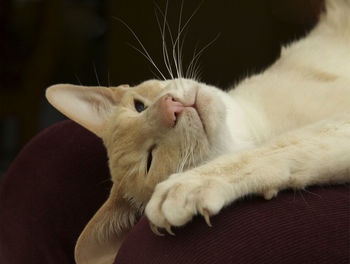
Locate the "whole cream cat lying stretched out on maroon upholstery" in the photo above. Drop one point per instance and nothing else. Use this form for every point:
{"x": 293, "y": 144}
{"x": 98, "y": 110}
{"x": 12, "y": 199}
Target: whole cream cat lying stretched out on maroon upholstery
{"x": 180, "y": 147}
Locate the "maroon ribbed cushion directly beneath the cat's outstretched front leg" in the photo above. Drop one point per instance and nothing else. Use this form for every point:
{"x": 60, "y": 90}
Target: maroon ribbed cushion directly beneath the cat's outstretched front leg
{"x": 296, "y": 227}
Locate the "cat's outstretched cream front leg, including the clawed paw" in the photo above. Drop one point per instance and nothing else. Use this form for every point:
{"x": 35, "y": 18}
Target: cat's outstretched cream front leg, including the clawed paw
{"x": 316, "y": 154}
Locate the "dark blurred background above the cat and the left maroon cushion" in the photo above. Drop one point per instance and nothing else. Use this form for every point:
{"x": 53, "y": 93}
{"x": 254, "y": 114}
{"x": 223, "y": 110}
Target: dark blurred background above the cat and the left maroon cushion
{"x": 82, "y": 42}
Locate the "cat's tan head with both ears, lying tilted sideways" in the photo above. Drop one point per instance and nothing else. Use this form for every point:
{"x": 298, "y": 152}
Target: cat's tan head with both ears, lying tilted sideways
{"x": 150, "y": 131}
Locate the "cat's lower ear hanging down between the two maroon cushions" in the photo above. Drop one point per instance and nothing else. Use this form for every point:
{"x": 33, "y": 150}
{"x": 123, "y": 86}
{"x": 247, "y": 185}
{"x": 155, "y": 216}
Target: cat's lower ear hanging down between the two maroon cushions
{"x": 101, "y": 238}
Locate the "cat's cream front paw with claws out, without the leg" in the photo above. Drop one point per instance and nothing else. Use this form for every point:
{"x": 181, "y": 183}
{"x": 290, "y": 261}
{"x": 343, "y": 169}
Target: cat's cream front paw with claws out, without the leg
{"x": 176, "y": 200}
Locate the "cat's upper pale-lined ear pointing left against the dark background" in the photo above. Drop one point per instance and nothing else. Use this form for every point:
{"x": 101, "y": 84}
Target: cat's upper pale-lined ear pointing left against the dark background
{"x": 89, "y": 106}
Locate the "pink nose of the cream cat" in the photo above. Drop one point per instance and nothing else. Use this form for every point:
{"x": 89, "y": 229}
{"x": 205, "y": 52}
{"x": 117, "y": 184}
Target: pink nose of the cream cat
{"x": 170, "y": 110}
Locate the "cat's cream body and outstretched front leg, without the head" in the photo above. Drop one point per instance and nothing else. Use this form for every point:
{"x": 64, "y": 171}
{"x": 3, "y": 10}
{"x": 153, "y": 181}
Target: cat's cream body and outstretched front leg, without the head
{"x": 293, "y": 120}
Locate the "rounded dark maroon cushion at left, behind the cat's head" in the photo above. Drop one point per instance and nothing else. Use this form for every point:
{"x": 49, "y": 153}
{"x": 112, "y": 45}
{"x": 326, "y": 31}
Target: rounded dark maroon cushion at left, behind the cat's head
{"x": 49, "y": 193}
